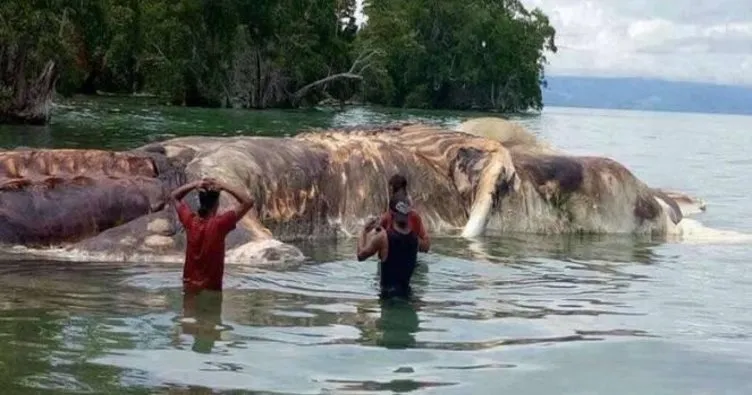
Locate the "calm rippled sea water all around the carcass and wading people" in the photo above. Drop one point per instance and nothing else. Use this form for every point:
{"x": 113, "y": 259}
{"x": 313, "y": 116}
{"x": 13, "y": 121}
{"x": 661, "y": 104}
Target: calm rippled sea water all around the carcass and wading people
{"x": 518, "y": 314}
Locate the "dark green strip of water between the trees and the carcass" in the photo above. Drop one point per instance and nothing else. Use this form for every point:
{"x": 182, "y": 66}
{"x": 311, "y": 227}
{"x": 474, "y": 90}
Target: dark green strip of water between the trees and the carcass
{"x": 123, "y": 123}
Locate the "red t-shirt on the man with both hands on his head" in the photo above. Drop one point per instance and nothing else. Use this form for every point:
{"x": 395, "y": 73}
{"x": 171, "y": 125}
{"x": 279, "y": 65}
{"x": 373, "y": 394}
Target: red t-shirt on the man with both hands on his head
{"x": 205, "y": 250}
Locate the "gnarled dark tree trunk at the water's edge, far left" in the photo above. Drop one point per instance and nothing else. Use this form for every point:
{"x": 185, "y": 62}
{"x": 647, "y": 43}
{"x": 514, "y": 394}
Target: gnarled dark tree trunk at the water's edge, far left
{"x": 28, "y": 102}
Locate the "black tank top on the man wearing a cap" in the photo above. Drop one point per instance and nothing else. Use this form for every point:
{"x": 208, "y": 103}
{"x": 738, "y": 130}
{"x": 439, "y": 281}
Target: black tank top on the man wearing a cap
{"x": 397, "y": 269}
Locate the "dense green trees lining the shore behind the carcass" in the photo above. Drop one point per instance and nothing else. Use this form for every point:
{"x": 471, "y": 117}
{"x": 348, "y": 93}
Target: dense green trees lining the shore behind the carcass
{"x": 450, "y": 54}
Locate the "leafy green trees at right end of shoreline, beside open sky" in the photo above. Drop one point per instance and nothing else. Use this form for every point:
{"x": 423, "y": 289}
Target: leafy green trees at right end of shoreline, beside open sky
{"x": 477, "y": 54}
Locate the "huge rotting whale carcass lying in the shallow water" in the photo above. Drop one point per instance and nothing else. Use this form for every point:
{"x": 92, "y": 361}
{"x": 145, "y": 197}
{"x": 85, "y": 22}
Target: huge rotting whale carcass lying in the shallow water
{"x": 101, "y": 205}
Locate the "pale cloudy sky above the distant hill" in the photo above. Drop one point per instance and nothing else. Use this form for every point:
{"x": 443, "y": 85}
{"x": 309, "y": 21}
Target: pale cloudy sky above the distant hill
{"x": 685, "y": 40}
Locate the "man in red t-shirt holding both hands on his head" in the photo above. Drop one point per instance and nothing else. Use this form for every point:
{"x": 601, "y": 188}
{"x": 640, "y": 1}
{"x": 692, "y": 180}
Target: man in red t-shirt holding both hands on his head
{"x": 206, "y": 231}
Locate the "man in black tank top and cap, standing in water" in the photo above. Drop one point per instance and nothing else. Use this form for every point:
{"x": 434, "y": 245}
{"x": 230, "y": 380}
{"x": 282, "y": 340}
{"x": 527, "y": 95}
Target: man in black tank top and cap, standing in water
{"x": 396, "y": 246}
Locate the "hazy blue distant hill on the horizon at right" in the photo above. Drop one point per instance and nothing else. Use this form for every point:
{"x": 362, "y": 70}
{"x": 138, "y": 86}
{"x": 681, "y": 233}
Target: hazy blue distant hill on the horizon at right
{"x": 647, "y": 94}
